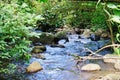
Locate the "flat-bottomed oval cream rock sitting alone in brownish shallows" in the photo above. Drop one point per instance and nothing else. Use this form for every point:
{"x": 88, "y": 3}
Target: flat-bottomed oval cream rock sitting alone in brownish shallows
{"x": 91, "y": 67}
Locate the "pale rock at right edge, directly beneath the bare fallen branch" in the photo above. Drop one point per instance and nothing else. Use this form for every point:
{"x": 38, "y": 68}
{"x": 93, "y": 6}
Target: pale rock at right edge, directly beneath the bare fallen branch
{"x": 111, "y": 58}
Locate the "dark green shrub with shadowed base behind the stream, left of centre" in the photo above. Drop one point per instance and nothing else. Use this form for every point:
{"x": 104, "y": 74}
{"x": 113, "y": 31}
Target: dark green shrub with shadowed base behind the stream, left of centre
{"x": 50, "y": 22}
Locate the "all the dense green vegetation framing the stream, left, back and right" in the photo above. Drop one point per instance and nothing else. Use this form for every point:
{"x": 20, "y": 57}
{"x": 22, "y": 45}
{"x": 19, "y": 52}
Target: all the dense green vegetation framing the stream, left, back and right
{"x": 19, "y": 17}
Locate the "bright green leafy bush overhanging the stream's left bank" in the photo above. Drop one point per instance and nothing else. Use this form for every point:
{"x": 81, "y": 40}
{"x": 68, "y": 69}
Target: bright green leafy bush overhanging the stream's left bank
{"x": 15, "y": 25}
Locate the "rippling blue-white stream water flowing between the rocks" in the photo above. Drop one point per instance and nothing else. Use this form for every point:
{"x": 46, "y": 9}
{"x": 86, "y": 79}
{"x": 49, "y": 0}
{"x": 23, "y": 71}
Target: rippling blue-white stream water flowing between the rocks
{"x": 61, "y": 65}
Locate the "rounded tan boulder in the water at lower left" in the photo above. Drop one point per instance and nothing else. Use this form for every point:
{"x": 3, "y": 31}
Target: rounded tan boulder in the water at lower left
{"x": 34, "y": 67}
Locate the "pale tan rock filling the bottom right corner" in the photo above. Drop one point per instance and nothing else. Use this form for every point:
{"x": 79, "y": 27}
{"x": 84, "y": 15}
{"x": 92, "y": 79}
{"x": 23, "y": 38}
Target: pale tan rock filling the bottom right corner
{"x": 112, "y": 76}
